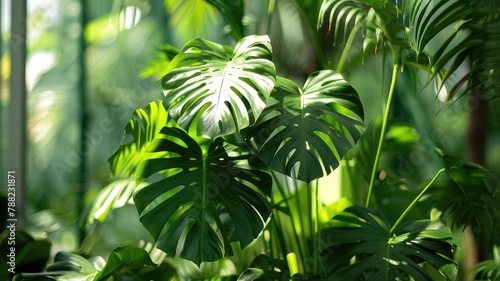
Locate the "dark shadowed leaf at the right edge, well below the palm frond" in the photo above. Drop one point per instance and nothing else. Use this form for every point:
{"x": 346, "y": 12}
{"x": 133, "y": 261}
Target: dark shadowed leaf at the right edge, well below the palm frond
{"x": 470, "y": 196}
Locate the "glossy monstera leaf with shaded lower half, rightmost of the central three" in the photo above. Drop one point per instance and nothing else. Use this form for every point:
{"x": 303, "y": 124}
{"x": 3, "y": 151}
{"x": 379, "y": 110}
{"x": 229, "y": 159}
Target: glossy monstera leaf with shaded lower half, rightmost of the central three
{"x": 304, "y": 133}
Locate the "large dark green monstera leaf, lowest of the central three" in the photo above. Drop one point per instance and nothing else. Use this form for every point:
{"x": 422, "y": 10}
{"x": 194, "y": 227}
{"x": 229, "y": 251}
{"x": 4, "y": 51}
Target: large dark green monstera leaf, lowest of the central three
{"x": 205, "y": 199}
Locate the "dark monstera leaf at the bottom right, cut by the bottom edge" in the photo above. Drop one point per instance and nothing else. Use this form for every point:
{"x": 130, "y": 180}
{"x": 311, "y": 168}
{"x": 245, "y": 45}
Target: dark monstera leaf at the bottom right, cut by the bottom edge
{"x": 362, "y": 247}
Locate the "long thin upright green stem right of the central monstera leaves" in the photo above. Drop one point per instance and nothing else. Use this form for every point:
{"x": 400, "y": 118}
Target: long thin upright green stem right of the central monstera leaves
{"x": 382, "y": 133}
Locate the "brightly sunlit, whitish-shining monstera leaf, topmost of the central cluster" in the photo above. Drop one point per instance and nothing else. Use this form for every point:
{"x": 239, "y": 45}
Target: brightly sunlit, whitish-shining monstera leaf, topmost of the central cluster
{"x": 216, "y": 93}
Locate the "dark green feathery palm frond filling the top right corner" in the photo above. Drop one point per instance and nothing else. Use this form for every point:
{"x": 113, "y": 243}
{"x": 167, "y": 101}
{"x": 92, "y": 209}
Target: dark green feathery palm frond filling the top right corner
{"x": 473, "y": 41}
